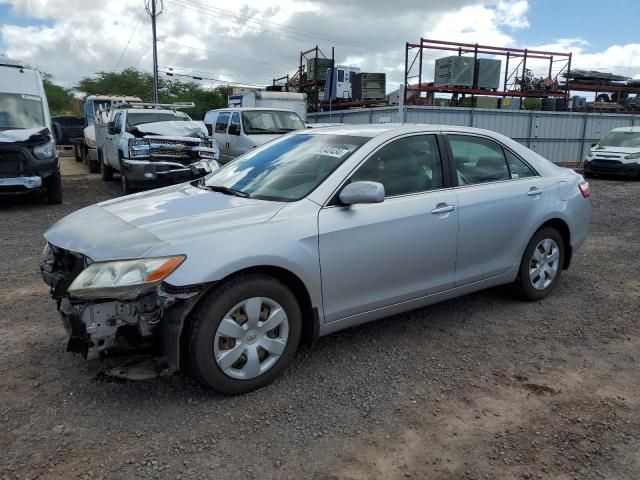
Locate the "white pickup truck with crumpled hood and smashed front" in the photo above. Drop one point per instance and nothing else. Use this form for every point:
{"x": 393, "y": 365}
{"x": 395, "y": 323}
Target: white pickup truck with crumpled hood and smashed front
{"x": 154, "y": 145}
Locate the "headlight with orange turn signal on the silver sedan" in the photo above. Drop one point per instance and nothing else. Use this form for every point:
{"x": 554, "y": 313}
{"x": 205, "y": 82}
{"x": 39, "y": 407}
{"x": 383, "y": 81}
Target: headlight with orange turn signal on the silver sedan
{"x": 123, "y": 279}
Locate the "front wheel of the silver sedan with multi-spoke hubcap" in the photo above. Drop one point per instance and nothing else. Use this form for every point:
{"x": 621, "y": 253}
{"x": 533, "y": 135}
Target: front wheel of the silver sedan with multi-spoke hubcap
{"x": 204, "y": 346}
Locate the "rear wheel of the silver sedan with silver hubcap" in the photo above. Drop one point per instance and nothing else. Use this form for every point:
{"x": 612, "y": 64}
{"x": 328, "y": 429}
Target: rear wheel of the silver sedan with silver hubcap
{"x": 538, "y": 276}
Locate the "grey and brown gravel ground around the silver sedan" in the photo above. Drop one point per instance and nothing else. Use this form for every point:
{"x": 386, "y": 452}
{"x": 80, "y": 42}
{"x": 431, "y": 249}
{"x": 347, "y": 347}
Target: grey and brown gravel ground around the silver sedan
{"x": 482, "y": 387}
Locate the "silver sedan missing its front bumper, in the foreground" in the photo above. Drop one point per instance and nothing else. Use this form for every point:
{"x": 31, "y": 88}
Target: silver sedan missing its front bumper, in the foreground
{"x": 314, "y": 232}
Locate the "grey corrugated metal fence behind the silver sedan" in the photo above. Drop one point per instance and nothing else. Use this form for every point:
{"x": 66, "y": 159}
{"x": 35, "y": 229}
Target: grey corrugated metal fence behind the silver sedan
{"x": 562, "y": 137}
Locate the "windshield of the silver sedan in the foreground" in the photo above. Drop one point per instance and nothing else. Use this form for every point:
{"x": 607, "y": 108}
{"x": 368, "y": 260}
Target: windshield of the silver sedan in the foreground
{"x": 286, "y": 169}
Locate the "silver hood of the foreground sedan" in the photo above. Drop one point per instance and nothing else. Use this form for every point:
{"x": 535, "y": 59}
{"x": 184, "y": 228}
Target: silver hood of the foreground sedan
{"x": 134, "y": 226}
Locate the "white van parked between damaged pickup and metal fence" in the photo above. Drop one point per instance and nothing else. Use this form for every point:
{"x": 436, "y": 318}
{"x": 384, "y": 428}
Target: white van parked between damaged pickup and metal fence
{"x": 237, "y": 130}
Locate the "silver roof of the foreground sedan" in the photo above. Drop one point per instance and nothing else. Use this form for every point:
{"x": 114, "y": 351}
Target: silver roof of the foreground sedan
{"x": 374, "y": 130}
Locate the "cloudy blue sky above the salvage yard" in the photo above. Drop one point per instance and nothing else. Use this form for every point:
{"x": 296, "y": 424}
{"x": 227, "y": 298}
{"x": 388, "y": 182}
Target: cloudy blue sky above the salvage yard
{"x": 253, "y": 41}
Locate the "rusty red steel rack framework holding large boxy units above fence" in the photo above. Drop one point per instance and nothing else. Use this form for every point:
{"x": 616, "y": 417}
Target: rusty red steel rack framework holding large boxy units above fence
{"x": 512, "y": 74}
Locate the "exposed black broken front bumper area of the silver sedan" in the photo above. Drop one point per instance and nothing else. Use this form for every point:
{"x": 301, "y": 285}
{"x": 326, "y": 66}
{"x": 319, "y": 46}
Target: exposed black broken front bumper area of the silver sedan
{"x": 149, "y": 326}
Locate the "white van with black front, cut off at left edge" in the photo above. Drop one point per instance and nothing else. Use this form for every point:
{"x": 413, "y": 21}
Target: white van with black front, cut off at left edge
{"x": 28, "y": 157}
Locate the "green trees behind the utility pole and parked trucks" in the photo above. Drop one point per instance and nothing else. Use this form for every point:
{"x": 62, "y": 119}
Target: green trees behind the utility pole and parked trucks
{"x": 132, "y": 82}
